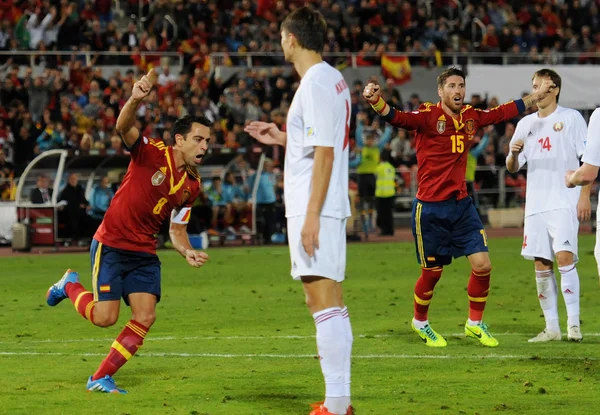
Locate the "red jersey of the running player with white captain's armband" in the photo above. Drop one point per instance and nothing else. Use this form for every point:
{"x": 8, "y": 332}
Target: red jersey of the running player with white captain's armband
{"x": 151, "y": 190}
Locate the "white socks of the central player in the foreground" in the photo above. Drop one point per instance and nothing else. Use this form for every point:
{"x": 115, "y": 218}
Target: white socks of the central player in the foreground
{"x": 334, "y": 344}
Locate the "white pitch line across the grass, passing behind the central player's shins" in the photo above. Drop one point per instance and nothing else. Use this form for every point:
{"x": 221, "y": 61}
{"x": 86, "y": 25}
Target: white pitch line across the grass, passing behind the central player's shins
{"x": 310, "y": 356}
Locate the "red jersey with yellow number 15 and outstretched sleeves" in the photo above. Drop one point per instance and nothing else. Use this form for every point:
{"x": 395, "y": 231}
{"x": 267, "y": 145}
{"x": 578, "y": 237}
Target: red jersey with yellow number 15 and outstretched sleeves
{"x": 443, "y": 143}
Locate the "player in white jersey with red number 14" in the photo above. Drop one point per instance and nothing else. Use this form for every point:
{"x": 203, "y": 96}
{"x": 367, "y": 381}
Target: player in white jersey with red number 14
{"x": 551, "y": 142}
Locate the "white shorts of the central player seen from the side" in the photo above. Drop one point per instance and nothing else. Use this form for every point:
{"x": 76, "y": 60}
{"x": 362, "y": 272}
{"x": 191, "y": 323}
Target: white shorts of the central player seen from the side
{"x": 329, "y": 260}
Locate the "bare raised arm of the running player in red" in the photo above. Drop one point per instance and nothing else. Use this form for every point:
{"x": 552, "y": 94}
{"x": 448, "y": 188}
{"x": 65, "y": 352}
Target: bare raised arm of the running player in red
{"x": 126, "y": 121}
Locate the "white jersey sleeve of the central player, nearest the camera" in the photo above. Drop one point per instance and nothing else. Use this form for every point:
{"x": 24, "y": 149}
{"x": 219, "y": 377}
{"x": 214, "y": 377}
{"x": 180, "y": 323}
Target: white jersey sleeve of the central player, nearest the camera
{"x": 317, "y": 111}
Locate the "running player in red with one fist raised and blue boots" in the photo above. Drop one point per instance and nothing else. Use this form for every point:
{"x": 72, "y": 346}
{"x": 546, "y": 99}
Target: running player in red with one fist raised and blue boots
{"x": 161, "y": 180}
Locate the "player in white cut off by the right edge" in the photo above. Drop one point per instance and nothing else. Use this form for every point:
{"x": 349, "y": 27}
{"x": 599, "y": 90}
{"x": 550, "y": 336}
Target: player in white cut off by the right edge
{"x": 587, "y": 173}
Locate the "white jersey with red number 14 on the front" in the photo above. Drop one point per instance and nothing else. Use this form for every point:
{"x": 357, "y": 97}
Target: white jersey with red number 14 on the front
{"x": 553, "y": 145}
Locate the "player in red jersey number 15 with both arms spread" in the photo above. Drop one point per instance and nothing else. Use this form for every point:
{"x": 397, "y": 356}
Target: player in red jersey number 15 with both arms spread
{"x": 445, "y": 223}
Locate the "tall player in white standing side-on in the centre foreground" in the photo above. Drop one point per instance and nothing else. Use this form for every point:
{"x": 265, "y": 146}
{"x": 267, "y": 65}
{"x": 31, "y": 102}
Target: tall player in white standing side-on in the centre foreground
{"x": 316, "y": 195}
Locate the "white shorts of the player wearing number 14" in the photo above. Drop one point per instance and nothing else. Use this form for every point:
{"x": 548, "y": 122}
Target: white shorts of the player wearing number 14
{"x": 547, "y": 233}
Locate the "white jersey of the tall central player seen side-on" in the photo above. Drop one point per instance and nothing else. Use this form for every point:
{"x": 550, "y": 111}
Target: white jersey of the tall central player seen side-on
{"x": 319, "y": 116}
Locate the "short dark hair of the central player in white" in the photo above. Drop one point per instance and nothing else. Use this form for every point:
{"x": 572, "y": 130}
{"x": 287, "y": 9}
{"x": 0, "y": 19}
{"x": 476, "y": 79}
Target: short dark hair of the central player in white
{"x": 308, "y": 26}
